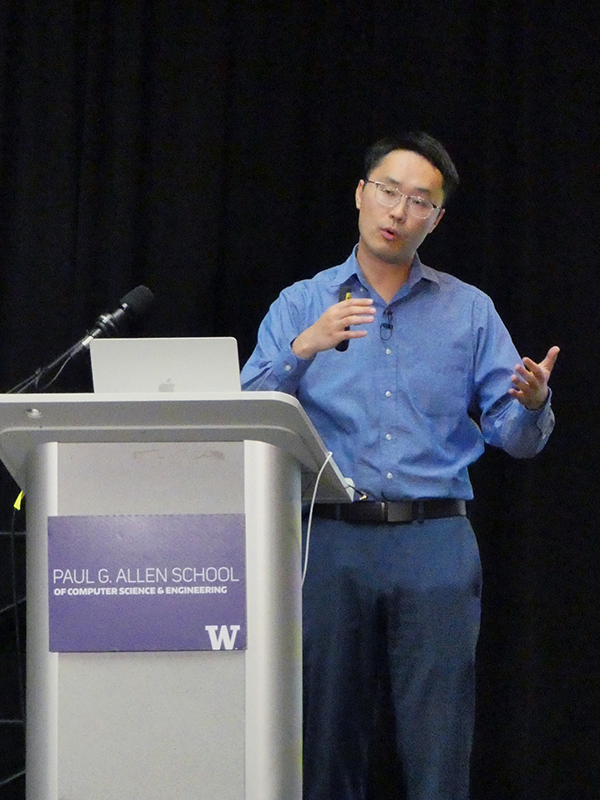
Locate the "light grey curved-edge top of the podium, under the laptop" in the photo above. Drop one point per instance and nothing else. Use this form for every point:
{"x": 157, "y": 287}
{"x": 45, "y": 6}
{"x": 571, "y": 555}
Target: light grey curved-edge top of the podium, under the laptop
{"x": 27, "y": 421}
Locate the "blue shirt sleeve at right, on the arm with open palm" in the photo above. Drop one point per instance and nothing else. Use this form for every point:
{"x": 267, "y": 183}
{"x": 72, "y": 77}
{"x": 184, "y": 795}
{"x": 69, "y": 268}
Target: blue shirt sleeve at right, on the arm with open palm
{"x": 504, "y": 422}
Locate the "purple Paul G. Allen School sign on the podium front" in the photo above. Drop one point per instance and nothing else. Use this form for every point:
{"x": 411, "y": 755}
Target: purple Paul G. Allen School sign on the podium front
{"x": 134, "y": 583}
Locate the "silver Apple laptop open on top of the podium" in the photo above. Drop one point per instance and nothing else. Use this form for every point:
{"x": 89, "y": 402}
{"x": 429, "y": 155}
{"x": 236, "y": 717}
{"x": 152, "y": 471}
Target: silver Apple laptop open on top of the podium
{"x": 198, "y": 364}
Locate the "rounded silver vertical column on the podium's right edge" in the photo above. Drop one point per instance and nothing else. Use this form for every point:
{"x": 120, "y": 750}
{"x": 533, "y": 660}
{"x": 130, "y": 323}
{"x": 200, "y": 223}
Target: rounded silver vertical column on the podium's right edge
{"x": 274, "y": 656}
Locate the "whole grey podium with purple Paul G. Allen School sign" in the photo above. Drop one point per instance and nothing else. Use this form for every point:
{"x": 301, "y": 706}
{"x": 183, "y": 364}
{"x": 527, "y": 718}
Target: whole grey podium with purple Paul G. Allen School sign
{"x": 164, "y": 591}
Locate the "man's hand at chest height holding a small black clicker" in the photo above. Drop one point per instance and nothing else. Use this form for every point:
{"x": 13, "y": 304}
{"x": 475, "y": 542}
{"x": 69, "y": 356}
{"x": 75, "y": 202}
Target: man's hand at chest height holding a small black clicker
{"x": 330, "y": 329}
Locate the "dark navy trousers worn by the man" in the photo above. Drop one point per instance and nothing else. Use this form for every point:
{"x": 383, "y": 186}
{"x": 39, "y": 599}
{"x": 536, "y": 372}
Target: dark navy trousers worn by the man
{"x": 409, "y": 594}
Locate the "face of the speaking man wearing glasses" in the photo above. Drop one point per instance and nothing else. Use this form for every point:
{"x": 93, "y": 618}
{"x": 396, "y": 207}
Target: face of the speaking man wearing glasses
{"x": 392, "y": 235}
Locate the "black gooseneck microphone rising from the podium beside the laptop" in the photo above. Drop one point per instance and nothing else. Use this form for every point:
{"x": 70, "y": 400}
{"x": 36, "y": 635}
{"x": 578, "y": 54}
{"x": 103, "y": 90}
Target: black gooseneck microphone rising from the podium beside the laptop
{"x": 134, "y": 304}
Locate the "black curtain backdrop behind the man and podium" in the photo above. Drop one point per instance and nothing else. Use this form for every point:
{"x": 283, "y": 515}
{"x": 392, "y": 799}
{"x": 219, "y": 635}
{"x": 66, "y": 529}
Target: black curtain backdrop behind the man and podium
{"x": 210, "y": 150}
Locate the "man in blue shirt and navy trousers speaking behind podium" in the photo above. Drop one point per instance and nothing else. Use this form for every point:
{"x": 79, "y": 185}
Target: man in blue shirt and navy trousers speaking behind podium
{"x": 429, "y": 375}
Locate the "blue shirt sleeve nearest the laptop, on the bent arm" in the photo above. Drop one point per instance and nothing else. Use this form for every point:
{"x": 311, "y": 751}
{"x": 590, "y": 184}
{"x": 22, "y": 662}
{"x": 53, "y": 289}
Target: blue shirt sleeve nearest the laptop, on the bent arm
{"x": 273, "y": 366}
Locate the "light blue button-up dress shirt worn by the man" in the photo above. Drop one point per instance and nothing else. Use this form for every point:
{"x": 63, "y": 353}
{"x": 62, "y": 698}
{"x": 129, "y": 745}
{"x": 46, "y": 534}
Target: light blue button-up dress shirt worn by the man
{"x": 399, "y": 414}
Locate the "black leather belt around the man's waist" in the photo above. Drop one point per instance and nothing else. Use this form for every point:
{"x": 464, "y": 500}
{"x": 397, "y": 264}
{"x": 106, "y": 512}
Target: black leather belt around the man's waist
{"x": 397, "y": 511}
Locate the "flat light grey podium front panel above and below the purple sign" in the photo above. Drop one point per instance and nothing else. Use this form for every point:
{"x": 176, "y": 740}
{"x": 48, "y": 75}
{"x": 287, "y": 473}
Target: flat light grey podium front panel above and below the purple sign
{"x": 137, "y": 724}
